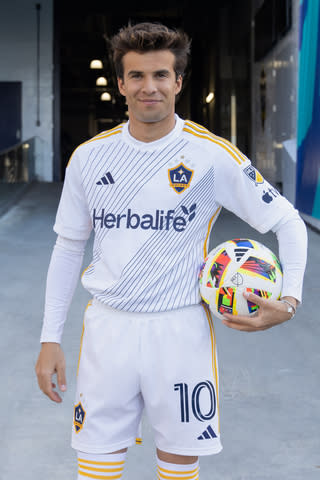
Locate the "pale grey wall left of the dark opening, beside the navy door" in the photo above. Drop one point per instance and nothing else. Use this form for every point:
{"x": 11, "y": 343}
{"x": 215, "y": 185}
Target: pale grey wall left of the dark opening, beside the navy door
{"x": 18, "y": 62}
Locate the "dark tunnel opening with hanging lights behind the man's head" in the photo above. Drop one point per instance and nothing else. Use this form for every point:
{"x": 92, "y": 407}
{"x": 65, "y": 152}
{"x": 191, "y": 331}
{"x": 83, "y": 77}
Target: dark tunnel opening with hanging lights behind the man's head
{"x": 216, "y": 90}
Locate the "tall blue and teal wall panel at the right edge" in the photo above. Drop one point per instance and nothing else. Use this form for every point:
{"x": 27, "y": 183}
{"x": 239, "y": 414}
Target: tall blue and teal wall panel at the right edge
{"x": 308, "y": 161}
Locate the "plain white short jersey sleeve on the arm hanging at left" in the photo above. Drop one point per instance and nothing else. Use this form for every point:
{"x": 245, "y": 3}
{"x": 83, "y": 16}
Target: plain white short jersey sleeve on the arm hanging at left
{"x": 73, "y": 218}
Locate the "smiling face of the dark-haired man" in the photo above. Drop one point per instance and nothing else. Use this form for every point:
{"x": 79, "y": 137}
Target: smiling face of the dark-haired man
{"x": 150, "y": 85}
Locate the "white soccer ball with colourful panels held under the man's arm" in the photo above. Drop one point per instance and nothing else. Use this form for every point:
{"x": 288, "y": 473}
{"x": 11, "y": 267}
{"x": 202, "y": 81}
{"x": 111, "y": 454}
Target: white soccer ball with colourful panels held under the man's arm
{"x": 236, "y": 266}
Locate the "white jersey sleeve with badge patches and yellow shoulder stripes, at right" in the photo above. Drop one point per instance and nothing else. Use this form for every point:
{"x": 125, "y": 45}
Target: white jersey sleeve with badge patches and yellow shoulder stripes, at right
{"x": 240, "y": 188}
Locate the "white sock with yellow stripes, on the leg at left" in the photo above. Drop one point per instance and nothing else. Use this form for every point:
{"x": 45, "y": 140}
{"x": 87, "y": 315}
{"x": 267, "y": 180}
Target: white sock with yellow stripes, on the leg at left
{"x": 105, "y": 466}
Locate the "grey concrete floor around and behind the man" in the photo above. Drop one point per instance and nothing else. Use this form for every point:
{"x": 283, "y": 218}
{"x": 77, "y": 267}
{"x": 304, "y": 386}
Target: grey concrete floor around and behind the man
{"x": 270, "y": 381}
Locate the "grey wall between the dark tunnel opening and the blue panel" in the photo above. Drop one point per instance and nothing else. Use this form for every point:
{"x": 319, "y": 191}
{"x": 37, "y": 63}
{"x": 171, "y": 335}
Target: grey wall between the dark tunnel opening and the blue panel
{"x": 280, "y": 66}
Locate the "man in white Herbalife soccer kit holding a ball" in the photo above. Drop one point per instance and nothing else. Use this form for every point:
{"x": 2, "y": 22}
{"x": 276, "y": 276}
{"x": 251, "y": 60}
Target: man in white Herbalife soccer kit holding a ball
{"x": 152, "y": 189}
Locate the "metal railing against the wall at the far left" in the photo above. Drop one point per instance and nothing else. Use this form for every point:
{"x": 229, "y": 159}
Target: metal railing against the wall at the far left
{"x": 17, "y": 163}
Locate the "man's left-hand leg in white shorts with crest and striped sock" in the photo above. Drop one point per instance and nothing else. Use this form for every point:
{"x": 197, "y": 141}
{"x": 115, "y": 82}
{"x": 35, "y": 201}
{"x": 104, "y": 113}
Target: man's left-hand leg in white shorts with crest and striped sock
{"x": 106, "y": 414}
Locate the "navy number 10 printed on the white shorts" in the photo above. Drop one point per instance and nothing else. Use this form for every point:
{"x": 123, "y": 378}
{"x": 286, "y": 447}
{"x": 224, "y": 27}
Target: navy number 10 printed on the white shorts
{"x": 202, "y": 394}
